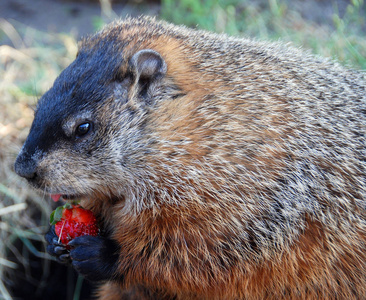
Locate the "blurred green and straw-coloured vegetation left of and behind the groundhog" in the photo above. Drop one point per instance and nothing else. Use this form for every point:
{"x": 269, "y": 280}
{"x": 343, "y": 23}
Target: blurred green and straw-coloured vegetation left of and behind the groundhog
{"x": 29, "y": 62}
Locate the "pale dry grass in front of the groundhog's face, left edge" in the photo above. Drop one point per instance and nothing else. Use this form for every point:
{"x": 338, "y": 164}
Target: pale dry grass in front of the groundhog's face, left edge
{"x": 28, "y": 67}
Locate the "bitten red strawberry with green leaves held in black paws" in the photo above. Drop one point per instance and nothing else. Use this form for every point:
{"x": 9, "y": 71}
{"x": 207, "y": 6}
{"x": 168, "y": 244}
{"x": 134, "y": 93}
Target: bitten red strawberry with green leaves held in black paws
{"x": 71, "y": 221}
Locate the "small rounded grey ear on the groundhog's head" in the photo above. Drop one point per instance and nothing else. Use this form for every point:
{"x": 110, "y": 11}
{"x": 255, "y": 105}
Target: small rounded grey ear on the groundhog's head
{"x": 147, "y": 65}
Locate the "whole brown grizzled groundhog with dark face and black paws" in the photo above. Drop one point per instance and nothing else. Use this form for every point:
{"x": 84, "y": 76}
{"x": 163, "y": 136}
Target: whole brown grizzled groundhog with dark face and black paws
{"x": 218, "y": 167}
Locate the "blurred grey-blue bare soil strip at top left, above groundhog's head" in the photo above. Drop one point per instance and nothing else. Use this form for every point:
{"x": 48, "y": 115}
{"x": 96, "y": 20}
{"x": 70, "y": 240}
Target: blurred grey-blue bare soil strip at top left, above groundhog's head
{"x": 76, "y": 17}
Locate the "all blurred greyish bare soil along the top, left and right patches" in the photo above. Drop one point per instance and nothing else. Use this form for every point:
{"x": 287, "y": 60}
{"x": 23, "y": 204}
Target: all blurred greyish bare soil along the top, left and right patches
{"x": 80, "y": 17}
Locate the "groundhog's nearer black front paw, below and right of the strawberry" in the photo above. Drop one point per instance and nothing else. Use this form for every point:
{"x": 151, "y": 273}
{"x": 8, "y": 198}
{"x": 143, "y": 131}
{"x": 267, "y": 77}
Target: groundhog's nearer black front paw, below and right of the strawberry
{"x": 94, "y": 257}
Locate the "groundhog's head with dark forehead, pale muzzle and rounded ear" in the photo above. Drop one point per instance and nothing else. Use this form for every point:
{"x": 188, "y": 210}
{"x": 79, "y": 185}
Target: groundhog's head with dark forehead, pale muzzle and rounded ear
{"x": 88, "y": 136}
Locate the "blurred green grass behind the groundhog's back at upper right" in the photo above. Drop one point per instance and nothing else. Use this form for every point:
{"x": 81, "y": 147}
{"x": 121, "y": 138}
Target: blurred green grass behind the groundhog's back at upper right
{"x": 341, "y": 38}
